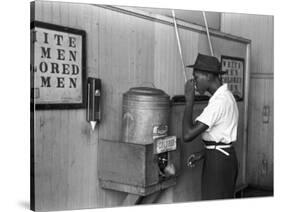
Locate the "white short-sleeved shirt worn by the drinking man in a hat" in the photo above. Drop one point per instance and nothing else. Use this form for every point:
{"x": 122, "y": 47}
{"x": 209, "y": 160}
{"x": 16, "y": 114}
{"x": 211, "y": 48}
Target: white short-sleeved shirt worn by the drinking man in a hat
{"x": 221, "y": 115}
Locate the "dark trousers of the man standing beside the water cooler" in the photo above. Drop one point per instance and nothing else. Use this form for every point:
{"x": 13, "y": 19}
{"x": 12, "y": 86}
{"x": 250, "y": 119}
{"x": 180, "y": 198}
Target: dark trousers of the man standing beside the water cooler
{"x": 219, "y": 174}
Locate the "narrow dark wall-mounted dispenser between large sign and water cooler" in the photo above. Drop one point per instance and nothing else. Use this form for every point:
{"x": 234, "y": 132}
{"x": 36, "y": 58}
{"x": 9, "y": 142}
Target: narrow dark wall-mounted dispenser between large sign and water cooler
{"x": 93, "y": 100}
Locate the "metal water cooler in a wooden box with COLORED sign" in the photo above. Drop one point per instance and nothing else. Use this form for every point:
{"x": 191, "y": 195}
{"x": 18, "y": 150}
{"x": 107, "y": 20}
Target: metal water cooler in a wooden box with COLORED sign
{"x": 147, "y": 158}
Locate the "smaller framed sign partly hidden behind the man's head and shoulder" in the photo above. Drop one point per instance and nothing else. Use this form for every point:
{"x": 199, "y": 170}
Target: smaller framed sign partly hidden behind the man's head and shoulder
{"x": 234, "y": 77}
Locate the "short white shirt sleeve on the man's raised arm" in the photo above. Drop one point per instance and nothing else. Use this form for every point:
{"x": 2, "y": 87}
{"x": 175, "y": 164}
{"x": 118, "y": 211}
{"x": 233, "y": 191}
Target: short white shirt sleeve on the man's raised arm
{"x": 211, "y": 114}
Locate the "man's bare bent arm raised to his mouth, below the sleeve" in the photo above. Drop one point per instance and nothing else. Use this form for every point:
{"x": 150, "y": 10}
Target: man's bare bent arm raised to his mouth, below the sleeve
{"x": 190, "y": 130}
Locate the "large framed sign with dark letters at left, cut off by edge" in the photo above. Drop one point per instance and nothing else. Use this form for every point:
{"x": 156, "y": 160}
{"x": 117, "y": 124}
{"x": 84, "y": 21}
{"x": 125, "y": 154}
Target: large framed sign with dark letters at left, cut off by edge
{"x": 58, "y": 72}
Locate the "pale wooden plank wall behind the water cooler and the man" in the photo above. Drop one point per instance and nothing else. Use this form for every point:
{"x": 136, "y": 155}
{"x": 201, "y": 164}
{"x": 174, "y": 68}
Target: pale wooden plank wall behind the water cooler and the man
{"x": 124, "y": 51}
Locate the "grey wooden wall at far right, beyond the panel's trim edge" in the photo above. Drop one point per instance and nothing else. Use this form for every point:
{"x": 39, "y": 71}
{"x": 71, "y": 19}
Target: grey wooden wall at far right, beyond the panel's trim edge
{"x": 258, "y": 28}
